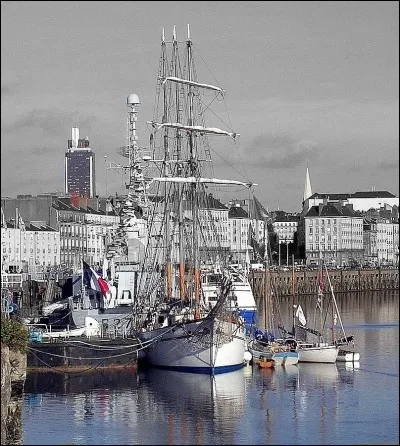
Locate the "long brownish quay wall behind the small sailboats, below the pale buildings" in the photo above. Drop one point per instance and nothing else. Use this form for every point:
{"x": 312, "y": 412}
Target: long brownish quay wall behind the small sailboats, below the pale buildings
{"x": 287, "y": 283}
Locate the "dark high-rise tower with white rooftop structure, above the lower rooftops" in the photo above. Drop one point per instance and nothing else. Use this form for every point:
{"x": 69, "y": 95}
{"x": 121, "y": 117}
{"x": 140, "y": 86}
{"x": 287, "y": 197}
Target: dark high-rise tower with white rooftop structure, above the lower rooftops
{"x": 79, "y": 167}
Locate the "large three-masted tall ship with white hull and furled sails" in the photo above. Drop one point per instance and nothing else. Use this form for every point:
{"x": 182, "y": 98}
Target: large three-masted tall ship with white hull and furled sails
{"x": 177, "y": 326}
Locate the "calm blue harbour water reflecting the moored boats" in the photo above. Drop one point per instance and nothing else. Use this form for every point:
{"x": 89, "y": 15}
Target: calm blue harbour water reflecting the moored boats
{"x": 303, "y": 404}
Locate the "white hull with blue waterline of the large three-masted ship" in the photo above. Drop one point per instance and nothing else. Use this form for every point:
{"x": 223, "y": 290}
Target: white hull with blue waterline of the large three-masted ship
{"x": 210, "y": 347}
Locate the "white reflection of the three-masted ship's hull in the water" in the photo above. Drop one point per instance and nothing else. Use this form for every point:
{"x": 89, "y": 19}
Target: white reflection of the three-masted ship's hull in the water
{"x": 200, "y": 400}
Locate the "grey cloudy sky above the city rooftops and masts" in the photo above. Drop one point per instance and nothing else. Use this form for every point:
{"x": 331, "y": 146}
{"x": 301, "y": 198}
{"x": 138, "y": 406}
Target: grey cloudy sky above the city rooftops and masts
{"x": 308, "y": 83}
